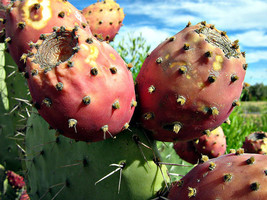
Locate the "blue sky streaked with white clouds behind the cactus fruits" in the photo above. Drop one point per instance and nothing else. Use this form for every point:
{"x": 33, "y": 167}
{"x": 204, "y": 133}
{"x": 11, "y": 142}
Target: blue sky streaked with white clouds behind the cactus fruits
{"x": 244, "y": 20}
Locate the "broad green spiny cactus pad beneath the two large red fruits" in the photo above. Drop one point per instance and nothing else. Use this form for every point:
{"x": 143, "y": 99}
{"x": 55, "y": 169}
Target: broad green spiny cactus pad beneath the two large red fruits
{"x": 58, "y": 167}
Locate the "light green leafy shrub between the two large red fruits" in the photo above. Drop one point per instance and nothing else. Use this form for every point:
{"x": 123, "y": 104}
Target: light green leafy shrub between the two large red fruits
{"x": 133, "y": 50}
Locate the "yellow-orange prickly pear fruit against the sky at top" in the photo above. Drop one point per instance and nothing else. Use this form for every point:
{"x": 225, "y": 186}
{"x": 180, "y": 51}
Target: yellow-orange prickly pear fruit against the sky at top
{"x": 104, "y": 18}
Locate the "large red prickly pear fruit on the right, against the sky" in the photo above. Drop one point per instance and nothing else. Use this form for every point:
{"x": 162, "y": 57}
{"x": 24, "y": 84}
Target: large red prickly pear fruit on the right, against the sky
{"x": 190, "y": 83}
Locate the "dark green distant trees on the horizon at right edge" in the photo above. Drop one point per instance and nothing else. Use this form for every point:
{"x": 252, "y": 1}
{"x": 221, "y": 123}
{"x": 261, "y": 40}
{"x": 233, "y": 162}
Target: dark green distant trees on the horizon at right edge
{"x": 257, "y": 92}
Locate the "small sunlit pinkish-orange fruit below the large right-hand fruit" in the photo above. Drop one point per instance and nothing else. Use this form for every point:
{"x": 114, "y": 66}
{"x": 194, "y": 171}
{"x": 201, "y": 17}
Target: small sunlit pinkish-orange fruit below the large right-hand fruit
{"x": 213, "y": 144}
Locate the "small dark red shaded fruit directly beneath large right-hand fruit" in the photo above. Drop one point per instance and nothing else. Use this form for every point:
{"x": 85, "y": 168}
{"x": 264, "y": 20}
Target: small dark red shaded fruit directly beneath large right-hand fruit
{"x": 187, "y": 151}
